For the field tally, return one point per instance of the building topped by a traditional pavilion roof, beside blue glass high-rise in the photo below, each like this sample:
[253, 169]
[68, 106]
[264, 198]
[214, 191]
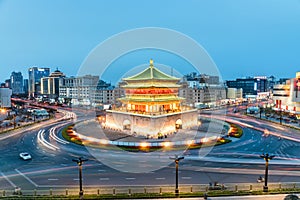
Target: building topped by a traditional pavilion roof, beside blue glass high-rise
[50, 85]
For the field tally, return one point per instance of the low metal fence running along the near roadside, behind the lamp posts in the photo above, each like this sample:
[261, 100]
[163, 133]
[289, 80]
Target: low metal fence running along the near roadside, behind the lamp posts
[129, 190]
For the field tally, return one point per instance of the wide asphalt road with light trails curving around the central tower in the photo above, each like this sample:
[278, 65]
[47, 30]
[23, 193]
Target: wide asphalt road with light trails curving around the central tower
[235, 162]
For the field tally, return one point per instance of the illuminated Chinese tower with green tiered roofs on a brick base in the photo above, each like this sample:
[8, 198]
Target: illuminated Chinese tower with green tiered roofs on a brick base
[151, 106]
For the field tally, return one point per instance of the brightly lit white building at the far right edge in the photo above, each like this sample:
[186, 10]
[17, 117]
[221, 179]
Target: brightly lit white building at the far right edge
[286, 95]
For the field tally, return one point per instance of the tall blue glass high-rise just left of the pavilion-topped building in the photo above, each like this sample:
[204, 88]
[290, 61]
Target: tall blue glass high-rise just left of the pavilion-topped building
[34, 81]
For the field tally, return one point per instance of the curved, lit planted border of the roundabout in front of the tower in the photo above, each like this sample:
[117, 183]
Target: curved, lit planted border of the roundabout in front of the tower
[134, 144]
